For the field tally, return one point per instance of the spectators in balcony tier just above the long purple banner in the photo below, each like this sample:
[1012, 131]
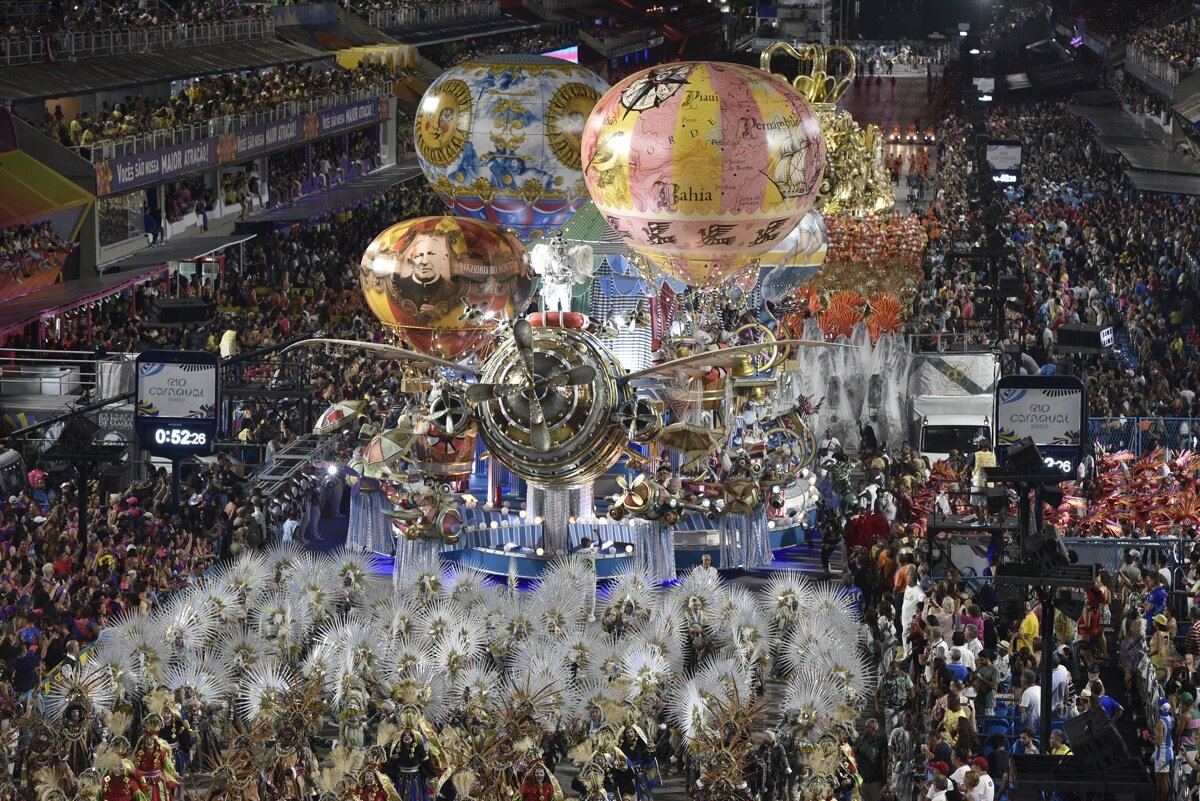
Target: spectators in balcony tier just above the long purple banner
[209, 99]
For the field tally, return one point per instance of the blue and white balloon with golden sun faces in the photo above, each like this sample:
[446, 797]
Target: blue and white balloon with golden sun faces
[499, 140]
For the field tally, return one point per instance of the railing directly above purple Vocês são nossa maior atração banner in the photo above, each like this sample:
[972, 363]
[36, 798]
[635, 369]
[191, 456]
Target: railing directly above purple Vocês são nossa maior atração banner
[107, 149]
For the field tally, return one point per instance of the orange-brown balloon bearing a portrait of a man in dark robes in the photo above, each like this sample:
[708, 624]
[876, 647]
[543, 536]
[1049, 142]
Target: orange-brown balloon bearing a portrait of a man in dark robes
[445, 284]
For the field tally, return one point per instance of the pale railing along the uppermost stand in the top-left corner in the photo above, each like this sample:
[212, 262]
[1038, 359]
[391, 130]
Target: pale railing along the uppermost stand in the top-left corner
[93, 45]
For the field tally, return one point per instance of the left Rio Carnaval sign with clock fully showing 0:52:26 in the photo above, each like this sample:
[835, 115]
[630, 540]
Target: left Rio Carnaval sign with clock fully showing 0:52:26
[178, 395]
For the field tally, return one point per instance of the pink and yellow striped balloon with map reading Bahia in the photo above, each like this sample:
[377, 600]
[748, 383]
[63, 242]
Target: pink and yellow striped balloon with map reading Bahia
[704, 167]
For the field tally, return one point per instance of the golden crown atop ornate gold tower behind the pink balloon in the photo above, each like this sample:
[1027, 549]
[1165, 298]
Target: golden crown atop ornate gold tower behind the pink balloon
[856, 182]
